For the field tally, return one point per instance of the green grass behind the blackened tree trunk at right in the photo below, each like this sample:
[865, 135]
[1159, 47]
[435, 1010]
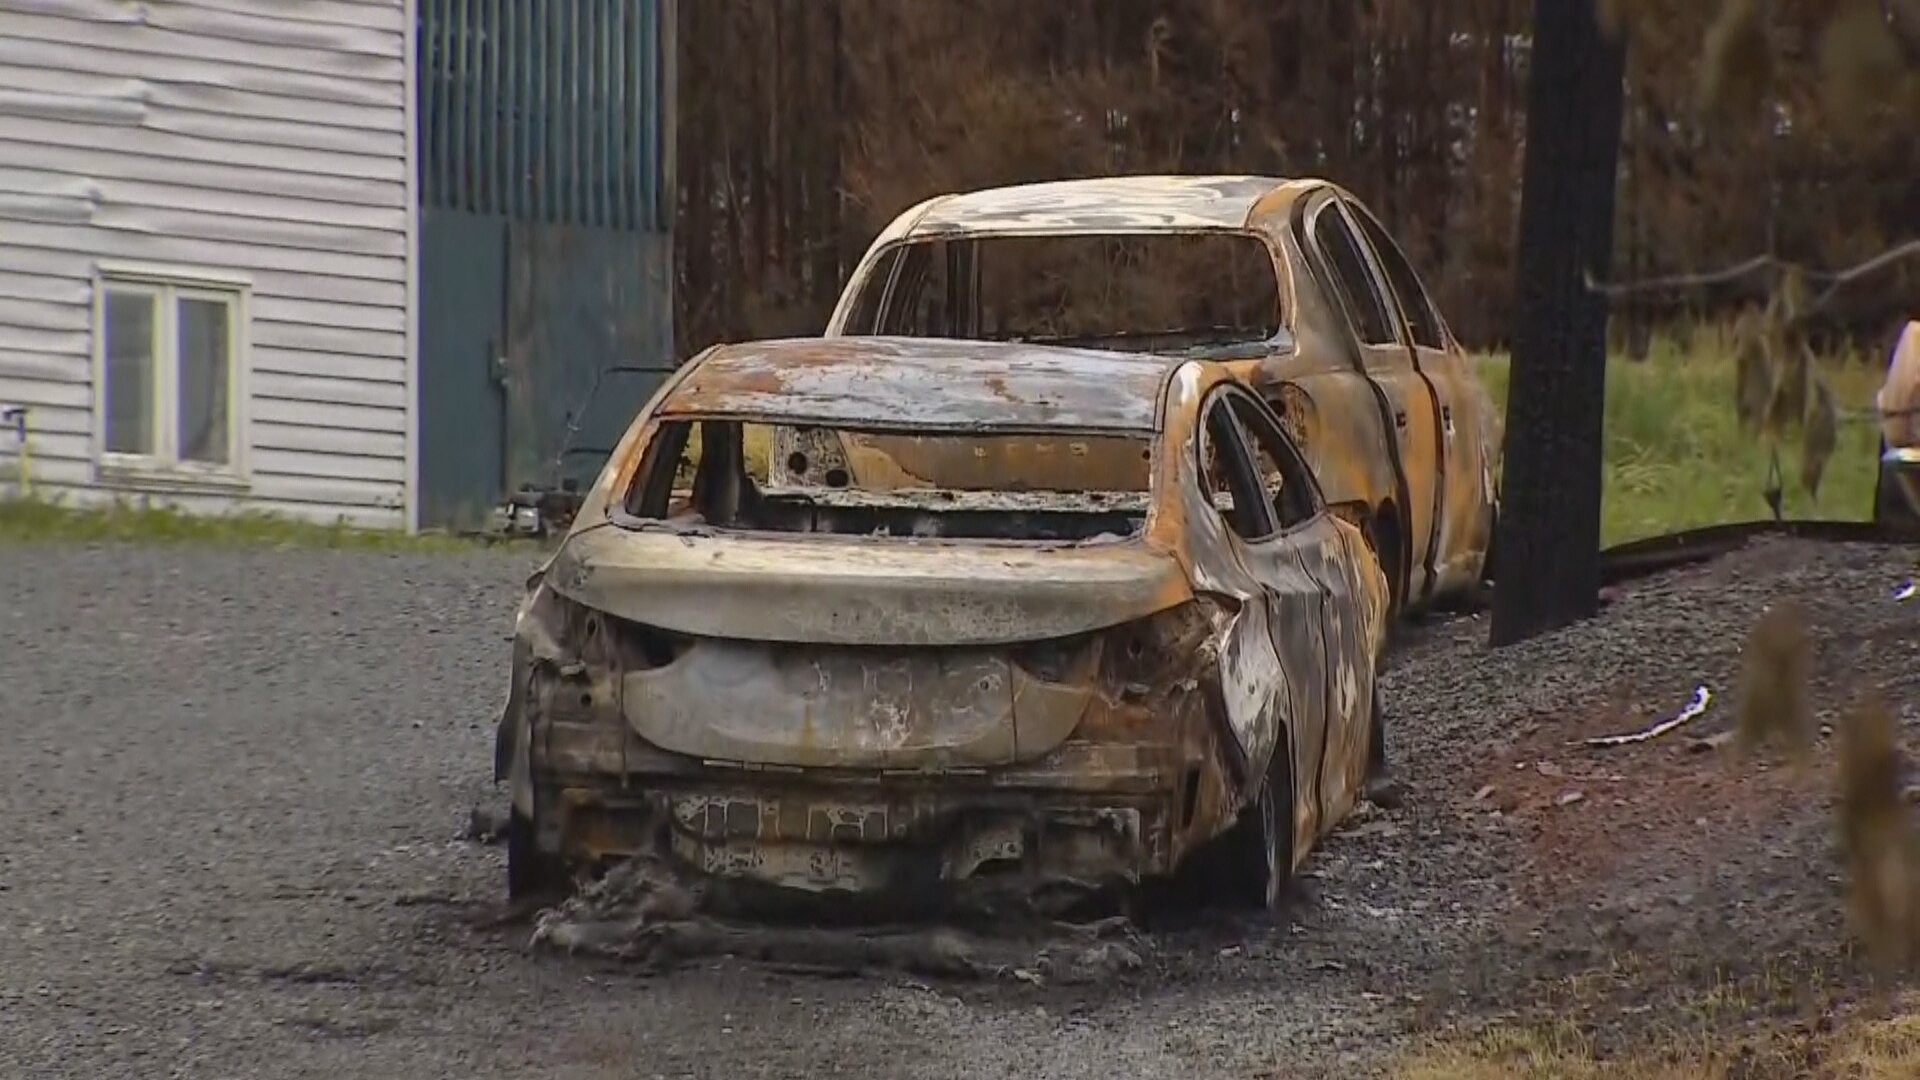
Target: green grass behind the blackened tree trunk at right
[1677, 458]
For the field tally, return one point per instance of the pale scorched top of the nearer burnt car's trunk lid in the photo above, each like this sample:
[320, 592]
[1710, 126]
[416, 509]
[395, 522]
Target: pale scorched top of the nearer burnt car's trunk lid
[863, 591]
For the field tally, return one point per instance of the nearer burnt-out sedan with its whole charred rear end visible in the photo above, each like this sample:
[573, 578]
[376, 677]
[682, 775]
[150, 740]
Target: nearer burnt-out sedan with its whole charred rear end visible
[1045, 679]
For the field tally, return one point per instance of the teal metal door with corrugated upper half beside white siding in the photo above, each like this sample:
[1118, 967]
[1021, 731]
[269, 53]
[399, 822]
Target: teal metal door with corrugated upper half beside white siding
[544, 151]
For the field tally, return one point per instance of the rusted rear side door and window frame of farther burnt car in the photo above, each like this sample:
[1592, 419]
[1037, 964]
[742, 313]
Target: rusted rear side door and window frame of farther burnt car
[1404, 405]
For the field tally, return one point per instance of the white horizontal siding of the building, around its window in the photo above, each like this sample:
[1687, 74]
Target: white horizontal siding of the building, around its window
[254, 139]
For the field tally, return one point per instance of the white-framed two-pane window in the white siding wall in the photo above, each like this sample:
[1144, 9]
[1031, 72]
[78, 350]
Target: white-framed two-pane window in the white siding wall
[170, 376]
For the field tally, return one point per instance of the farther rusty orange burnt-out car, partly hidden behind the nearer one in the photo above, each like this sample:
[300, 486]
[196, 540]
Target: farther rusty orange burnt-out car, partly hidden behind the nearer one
[1293, 285]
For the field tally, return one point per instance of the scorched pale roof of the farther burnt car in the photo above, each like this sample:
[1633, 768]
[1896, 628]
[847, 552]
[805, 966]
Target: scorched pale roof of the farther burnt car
[1105, 205]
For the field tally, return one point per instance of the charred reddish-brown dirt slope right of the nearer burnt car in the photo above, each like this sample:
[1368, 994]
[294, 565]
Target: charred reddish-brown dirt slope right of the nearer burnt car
[1658, 891]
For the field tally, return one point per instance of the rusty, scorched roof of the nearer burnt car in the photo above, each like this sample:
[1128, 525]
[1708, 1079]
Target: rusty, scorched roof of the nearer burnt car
[924, 385]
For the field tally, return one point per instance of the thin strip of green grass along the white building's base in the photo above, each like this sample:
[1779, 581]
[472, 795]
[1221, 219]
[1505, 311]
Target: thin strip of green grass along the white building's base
[45, 522]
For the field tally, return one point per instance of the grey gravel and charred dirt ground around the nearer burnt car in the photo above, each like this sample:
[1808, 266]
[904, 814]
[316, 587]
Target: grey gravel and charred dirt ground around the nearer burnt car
[235, 787]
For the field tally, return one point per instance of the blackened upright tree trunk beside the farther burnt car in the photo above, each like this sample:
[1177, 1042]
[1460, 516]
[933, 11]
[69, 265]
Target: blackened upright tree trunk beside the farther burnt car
[1548, 543]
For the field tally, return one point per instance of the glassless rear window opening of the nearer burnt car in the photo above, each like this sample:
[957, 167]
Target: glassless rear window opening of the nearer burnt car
[757, 478]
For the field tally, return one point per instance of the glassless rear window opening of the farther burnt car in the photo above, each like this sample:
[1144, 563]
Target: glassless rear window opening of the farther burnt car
[1166, 293]
